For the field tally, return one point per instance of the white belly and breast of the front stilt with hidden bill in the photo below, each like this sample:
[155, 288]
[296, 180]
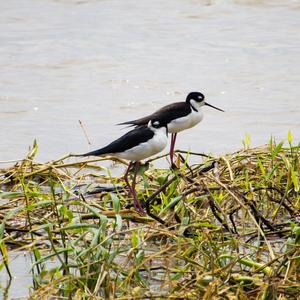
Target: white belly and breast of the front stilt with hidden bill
[147, 149]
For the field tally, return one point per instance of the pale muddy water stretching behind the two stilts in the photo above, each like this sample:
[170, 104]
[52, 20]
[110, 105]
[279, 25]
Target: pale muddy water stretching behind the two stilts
[103, 62]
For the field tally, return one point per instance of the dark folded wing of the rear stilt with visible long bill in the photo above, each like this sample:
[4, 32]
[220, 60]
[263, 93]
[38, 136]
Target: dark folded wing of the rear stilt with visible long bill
[167, 114]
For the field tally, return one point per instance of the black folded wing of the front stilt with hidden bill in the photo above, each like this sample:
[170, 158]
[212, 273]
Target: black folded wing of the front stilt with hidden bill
[129, 140]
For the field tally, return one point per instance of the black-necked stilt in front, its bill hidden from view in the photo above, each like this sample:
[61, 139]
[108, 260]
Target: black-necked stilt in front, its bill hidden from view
[136, 145]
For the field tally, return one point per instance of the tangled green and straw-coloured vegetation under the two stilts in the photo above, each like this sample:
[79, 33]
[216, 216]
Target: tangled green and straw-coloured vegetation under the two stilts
[222, 228]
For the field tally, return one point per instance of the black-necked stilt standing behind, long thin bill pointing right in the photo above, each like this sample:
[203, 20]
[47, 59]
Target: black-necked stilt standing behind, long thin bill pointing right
[178, 116]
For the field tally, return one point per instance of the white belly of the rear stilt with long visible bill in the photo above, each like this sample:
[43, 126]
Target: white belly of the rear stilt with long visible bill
[186, 122]
